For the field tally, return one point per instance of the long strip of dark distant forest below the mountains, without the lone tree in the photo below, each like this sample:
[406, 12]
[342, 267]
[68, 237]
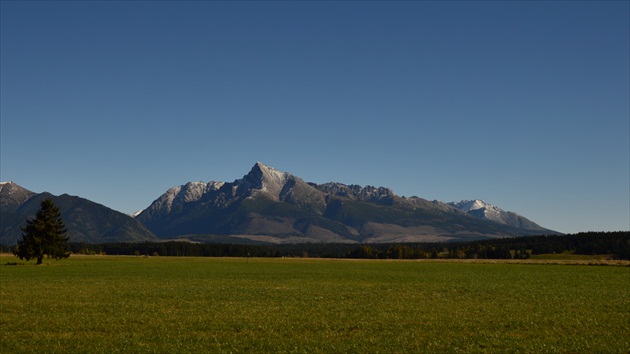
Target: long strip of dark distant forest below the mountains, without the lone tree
[588, 243]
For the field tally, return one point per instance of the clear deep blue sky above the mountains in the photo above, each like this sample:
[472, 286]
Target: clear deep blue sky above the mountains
[522, 104]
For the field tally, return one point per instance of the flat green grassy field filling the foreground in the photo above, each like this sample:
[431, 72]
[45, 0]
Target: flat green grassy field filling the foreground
[174, 305]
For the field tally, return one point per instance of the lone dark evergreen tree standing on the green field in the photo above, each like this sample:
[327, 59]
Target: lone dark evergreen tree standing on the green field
[44, 235]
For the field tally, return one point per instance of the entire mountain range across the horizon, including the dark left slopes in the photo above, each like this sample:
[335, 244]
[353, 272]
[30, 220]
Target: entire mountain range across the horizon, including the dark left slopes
[270, 206]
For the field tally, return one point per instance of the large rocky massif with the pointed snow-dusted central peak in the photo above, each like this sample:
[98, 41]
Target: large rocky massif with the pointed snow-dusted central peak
[267, 205]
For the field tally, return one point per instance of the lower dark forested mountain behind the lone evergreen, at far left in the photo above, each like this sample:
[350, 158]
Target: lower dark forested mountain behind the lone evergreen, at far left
[85, 220]
